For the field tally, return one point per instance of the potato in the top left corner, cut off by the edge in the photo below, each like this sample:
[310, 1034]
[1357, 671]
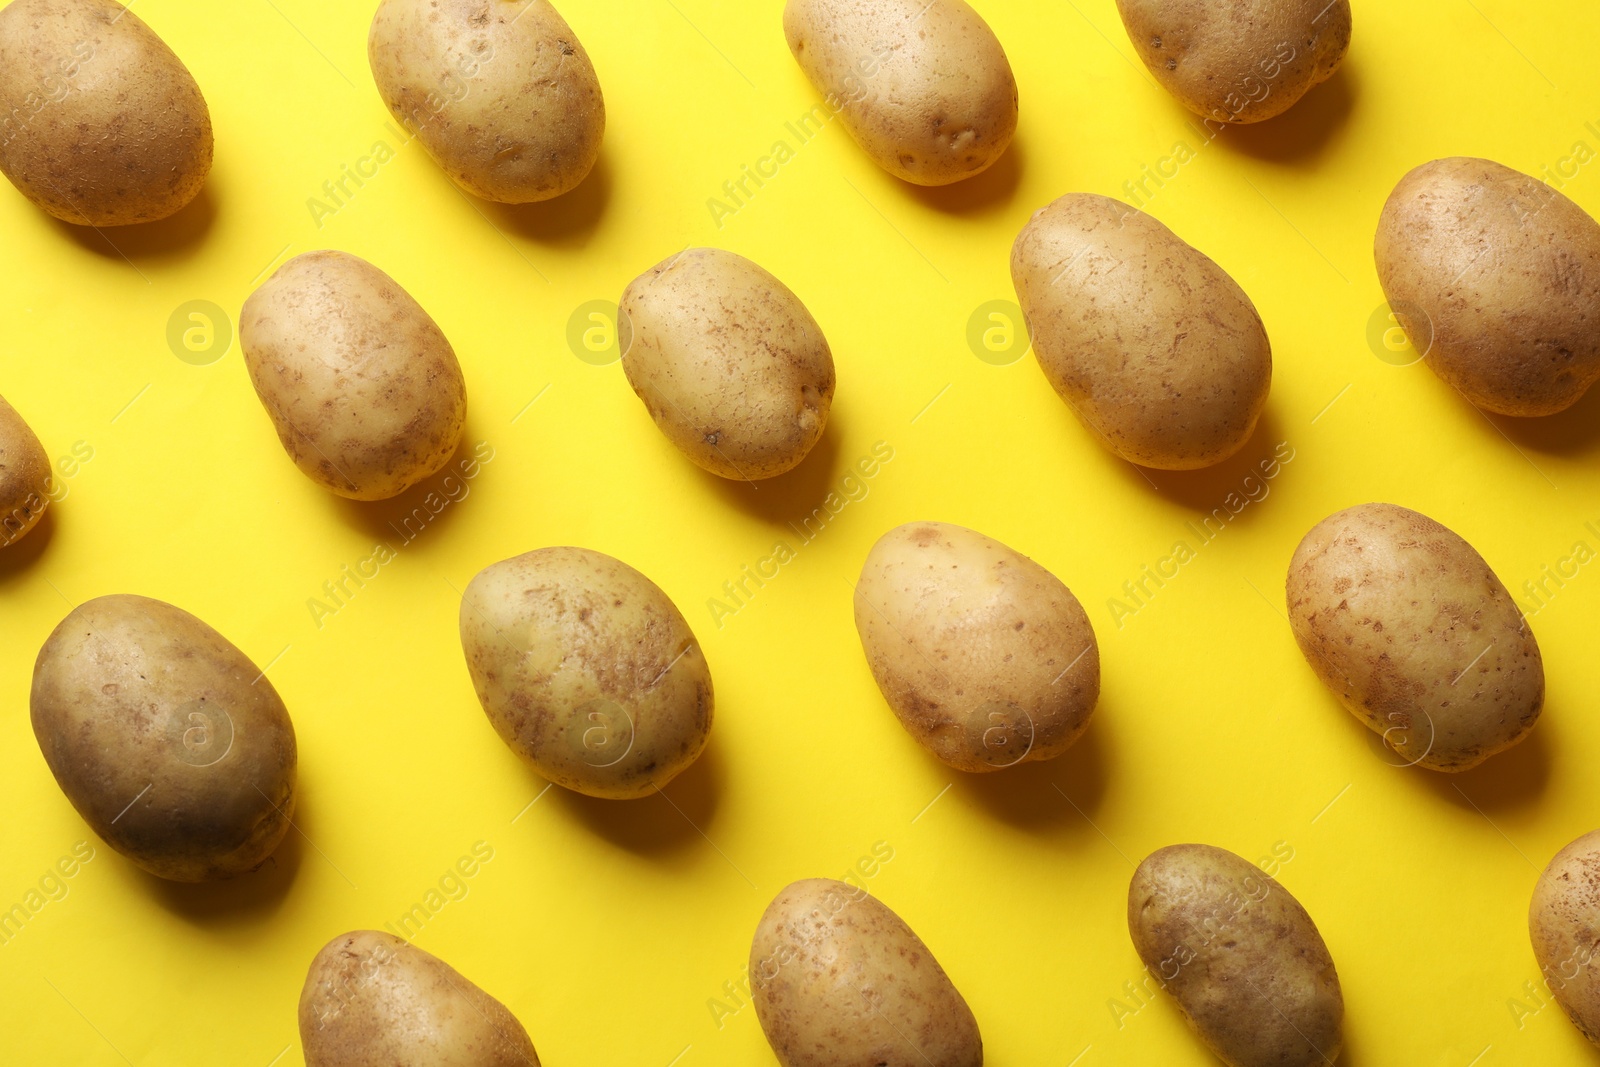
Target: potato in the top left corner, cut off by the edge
[100, 122]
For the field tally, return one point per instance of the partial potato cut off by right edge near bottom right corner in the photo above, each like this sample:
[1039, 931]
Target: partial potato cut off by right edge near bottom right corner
[1564, 924]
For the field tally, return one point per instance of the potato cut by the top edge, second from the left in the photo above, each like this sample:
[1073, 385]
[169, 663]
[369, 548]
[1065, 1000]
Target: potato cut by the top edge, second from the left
[502, 95]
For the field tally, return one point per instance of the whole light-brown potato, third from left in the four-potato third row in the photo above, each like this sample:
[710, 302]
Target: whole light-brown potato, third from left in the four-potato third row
[985, 657]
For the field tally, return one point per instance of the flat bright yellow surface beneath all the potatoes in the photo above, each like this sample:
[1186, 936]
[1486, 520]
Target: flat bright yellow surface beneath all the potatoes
[618, 932]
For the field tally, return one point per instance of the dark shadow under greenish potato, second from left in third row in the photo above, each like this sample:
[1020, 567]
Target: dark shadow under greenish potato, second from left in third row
[668, 820]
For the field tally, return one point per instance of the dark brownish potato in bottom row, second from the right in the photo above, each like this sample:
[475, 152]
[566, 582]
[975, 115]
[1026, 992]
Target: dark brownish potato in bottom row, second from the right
[1241, 957]
